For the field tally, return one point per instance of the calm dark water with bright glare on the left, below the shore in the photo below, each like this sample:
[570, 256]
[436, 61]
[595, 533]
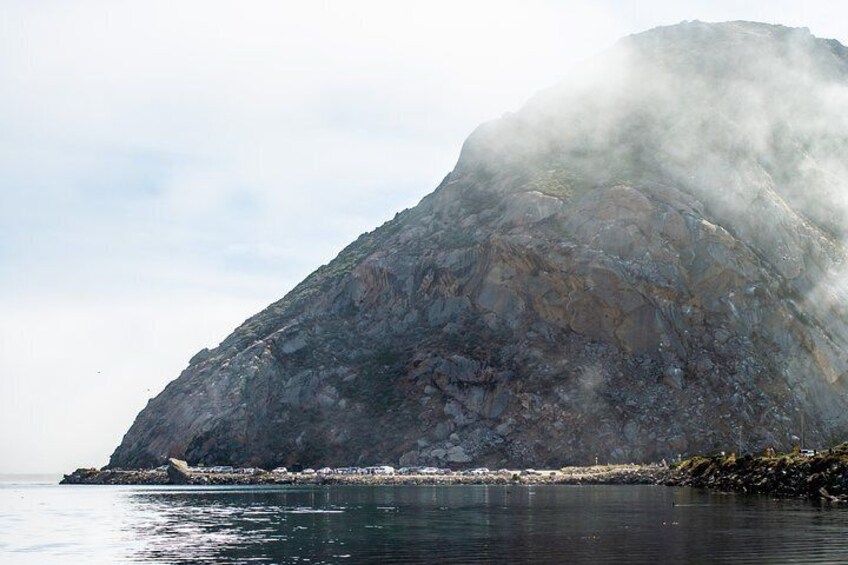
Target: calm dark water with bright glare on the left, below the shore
[47, 523]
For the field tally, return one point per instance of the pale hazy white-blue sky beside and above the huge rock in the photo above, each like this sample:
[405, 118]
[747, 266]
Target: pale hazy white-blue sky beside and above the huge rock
[169, 168]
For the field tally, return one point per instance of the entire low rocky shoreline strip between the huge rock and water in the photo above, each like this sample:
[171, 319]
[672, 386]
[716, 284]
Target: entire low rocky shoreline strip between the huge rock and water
[822, 476]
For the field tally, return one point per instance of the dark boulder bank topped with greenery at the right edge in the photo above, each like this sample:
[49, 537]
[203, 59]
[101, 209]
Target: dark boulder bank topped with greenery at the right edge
[821, 476]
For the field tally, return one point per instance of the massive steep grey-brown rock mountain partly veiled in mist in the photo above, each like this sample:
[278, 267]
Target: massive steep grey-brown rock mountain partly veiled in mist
[643, 261]
